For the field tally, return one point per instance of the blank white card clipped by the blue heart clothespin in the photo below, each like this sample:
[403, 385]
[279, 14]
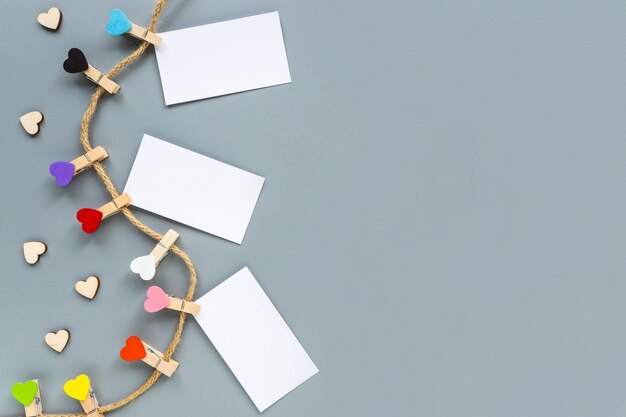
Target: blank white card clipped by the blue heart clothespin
[222, 58]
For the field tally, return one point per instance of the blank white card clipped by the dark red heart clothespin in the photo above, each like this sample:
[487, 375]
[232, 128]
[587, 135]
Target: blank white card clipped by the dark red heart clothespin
[193, 189]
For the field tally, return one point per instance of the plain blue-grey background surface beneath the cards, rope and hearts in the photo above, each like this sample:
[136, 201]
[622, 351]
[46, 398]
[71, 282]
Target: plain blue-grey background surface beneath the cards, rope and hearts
[442, 224]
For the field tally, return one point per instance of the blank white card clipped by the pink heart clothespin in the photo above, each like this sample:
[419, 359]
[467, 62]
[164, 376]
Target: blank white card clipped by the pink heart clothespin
[253, 339]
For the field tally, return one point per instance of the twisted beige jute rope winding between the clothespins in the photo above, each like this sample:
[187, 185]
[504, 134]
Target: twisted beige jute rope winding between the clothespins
[84, 139]
